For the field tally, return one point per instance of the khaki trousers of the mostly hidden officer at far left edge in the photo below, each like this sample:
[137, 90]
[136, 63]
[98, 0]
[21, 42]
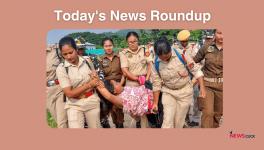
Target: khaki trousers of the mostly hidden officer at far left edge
[55, 106]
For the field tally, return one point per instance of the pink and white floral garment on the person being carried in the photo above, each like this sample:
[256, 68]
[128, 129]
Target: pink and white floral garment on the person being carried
[137, 101]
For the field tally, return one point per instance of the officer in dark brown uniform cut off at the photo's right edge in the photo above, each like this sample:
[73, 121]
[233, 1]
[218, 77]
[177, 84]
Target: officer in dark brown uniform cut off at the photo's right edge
[212, 105]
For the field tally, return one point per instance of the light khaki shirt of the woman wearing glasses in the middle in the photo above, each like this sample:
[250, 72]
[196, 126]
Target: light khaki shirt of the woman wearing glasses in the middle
[136, 62]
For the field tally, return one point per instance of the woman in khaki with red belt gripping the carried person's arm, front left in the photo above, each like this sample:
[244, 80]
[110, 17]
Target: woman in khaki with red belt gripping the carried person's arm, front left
[76, 78]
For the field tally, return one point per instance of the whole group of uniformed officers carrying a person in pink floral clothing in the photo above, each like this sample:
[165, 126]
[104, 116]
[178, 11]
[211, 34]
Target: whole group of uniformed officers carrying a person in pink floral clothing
[158, 85]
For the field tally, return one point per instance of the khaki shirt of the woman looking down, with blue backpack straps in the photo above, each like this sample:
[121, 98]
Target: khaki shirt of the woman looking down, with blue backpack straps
[169, 73]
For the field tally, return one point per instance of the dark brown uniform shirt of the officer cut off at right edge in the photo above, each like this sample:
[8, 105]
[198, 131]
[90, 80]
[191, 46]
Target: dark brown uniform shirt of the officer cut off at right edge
[213, 66]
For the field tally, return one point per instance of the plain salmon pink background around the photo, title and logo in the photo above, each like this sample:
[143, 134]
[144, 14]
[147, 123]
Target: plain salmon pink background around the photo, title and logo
[24, 27]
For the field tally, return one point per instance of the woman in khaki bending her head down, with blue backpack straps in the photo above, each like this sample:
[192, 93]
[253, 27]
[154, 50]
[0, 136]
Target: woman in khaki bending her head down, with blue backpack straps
[170, 75]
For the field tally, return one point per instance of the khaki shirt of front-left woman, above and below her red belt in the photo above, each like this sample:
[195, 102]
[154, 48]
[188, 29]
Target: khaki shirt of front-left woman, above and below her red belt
[77, 76]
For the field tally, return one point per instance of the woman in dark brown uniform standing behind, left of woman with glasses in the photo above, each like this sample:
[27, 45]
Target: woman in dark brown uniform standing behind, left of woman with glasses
[111, 66]
